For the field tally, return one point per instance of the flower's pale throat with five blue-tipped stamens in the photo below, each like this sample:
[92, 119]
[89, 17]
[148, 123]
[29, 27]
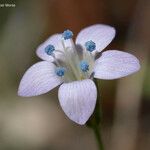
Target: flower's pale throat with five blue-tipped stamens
[78, 66]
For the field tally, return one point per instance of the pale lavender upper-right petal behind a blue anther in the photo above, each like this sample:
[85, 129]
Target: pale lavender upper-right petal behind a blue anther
[101, 34]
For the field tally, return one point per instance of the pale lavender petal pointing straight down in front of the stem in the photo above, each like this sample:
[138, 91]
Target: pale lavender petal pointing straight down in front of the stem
[78, 99]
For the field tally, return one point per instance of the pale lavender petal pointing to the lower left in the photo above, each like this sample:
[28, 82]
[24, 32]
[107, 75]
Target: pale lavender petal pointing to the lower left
[39, 79]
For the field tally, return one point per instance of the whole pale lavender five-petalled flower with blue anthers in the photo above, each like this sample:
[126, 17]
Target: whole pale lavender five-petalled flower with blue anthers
[73, 66]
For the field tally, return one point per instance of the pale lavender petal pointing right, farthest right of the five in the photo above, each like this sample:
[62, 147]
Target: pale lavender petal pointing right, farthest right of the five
[115, 64]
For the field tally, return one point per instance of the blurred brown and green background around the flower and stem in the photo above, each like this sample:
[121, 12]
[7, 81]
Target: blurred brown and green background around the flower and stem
[38, 123]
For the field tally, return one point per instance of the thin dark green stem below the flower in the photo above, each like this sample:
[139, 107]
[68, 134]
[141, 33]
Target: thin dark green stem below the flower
[95, 120]
